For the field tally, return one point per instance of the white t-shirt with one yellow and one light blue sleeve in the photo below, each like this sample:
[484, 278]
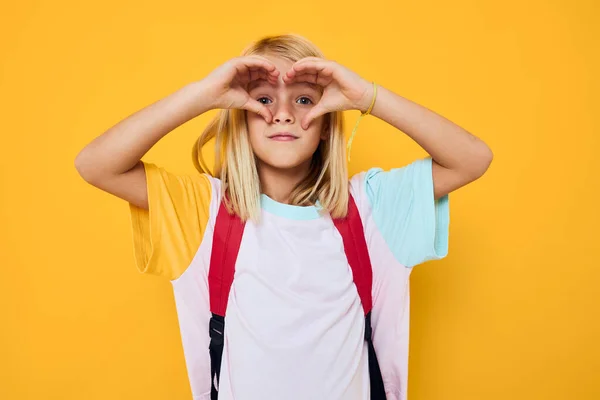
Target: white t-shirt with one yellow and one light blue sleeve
[294, 320]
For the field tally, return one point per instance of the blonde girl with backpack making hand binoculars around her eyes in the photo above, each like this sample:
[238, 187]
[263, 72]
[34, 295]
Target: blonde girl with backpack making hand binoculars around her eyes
[297, 311]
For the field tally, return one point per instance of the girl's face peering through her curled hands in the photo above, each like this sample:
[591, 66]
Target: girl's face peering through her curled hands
[283, 143]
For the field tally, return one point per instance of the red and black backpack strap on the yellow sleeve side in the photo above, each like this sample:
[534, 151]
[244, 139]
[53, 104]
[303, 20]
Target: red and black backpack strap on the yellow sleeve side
[227, 237]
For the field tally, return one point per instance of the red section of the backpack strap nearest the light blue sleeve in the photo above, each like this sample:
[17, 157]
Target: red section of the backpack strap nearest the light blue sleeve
[355, 246]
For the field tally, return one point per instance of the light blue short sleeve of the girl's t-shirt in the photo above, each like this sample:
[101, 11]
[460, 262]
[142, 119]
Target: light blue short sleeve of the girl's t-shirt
[414, 226]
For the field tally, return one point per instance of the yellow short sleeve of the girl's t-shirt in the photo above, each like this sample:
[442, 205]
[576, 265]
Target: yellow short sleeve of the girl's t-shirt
[167, 236]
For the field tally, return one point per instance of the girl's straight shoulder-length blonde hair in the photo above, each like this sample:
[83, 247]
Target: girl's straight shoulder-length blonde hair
[235, 163]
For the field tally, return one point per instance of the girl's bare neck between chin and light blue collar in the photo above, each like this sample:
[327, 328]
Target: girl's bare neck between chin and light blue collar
[279, 183]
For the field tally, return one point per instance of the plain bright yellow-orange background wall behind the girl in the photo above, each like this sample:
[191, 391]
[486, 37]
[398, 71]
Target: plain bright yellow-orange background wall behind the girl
[511, 313]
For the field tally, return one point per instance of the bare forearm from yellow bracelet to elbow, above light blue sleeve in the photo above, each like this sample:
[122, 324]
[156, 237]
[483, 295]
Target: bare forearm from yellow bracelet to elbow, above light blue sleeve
[448, 144]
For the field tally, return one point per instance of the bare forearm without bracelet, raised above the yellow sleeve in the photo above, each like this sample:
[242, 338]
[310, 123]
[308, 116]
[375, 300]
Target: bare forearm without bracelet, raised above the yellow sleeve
[122, 146]
